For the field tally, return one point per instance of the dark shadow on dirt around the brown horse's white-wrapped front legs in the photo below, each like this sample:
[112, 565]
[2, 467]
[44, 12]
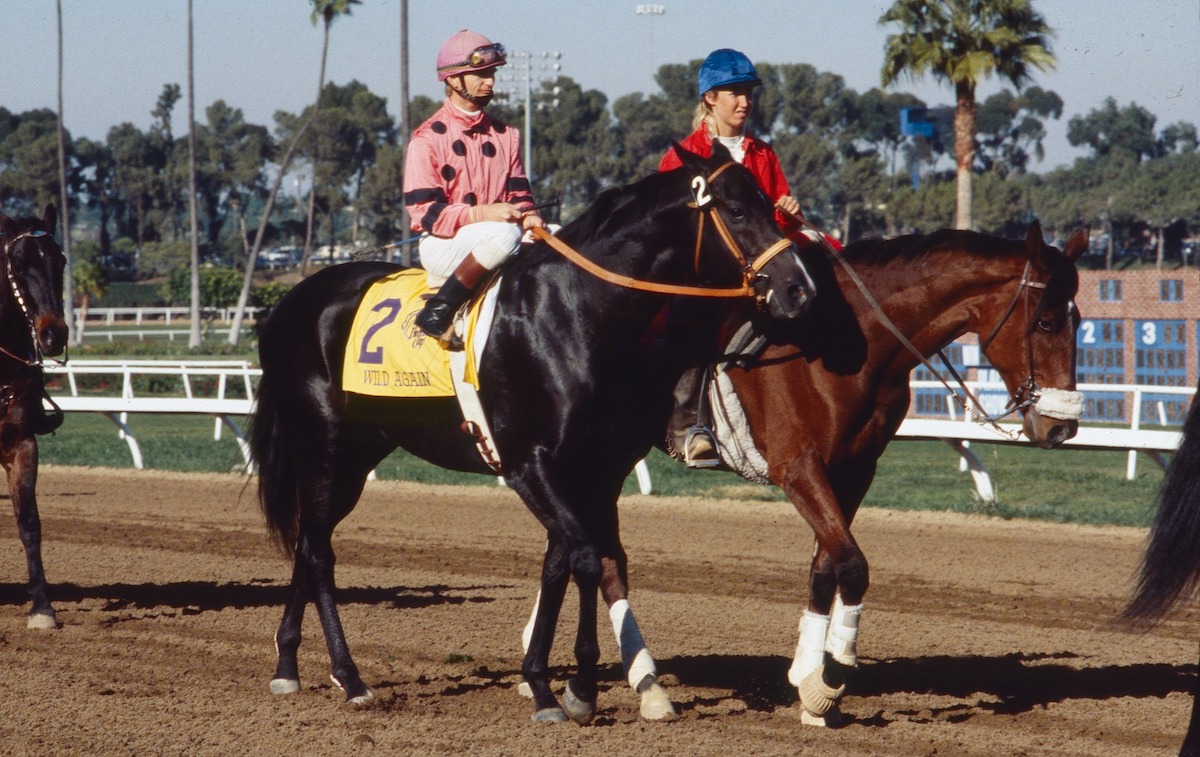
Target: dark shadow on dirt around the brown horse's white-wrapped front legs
[1001, 686]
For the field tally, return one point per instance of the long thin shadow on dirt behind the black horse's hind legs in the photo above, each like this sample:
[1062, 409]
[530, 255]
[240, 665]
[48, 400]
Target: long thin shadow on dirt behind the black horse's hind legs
[202, 597]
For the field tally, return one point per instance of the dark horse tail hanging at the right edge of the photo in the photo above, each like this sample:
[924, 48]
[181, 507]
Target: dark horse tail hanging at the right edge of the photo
[1172, 564]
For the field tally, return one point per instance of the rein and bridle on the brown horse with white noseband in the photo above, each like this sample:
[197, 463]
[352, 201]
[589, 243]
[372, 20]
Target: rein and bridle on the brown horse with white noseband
[970, 402]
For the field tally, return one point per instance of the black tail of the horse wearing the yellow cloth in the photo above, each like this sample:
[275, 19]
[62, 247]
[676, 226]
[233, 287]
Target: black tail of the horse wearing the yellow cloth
[278, 494]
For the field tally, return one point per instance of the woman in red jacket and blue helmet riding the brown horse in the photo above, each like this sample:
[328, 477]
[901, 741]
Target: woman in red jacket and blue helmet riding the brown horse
[727, 83]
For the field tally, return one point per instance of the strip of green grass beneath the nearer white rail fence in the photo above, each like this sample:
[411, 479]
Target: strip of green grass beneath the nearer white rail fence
[1063, 486]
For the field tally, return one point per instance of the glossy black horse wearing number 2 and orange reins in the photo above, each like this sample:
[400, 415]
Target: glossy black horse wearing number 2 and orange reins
[578, 378]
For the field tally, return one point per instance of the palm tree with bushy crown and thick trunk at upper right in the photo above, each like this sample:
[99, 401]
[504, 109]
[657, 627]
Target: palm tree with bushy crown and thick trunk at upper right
[964, 43]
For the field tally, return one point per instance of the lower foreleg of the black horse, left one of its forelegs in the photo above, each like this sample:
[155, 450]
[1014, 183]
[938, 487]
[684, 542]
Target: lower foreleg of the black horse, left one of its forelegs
[539, 640]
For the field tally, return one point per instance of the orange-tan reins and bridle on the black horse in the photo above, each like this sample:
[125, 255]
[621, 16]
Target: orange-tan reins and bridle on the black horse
[707, 206]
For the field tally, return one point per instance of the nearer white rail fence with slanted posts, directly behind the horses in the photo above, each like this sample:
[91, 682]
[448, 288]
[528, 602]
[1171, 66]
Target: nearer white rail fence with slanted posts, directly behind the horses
[231, 411]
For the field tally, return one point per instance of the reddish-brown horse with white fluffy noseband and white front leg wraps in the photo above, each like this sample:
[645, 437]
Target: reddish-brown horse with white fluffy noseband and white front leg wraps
[823, 404]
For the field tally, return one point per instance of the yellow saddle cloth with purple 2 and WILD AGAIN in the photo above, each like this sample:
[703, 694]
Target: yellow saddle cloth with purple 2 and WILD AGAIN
[387, 356]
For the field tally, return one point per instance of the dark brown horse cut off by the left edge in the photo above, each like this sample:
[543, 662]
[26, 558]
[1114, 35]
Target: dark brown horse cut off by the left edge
[32, 327]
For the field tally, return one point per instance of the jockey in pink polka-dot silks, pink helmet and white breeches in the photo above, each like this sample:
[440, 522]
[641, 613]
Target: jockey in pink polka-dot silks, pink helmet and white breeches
[465, 184]
